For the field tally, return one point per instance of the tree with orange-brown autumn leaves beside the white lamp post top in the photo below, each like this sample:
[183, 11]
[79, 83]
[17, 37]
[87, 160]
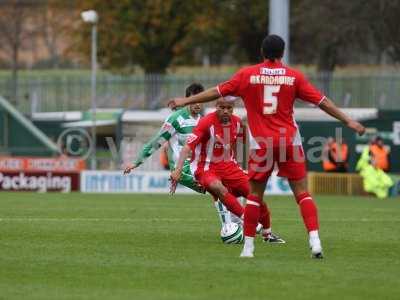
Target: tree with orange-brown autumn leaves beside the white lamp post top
[136, 32]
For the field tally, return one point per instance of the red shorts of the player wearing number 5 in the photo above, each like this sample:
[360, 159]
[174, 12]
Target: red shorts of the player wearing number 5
[290, 161]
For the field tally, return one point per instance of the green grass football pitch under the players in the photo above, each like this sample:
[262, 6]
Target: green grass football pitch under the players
[104, 246]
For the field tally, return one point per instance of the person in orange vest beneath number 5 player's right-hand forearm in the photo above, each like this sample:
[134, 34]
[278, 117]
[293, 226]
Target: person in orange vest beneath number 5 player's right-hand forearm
[335, 156]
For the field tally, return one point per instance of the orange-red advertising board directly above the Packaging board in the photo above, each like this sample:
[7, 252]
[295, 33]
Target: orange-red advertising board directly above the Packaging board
[33, 164]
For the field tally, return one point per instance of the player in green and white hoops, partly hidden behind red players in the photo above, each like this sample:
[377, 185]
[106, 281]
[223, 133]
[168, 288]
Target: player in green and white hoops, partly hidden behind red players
[176, 128]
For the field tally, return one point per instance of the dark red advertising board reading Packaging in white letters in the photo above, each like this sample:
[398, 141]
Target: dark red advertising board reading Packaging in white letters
[39, 181]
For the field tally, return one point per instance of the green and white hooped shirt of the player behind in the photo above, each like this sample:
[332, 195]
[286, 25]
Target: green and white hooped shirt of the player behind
[175, 129]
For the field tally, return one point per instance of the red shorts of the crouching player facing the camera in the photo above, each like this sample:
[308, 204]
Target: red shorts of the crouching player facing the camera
[230, 174]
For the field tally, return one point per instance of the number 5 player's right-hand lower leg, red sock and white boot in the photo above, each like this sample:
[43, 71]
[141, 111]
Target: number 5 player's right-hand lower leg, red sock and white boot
[309, 212]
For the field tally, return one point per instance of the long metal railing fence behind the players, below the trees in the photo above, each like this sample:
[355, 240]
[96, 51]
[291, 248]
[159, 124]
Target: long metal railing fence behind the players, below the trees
[72, 92]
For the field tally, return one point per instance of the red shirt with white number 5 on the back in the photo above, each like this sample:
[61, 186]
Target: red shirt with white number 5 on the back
[268, 91]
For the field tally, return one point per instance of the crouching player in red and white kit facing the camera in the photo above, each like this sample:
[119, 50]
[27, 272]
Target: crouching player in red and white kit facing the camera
[213, 145]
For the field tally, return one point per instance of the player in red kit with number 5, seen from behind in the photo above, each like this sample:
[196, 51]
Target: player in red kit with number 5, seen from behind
[269, 90]
